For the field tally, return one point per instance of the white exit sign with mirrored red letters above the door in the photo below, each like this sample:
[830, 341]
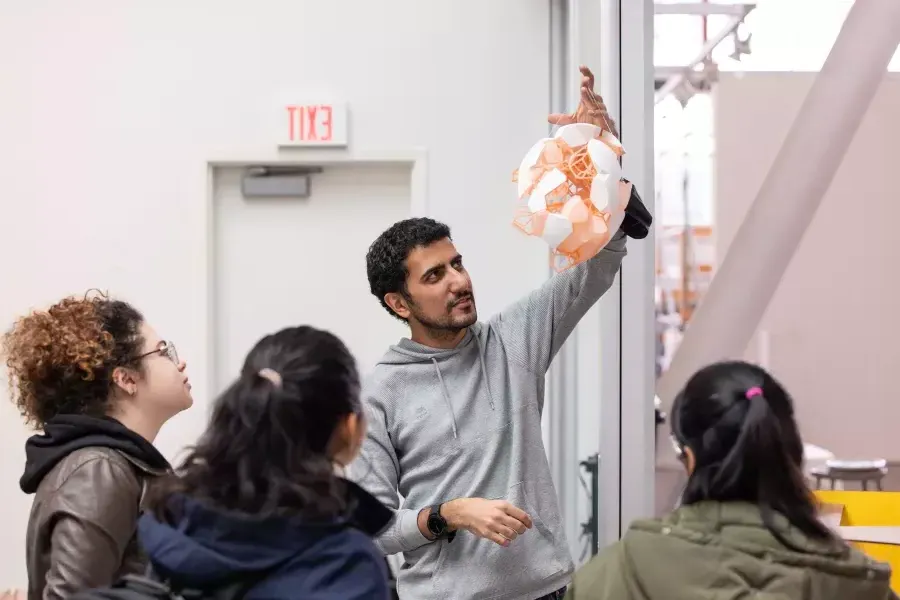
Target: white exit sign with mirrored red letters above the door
[309, 124]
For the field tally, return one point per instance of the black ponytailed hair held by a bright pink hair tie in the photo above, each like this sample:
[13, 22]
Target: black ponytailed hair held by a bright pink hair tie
[739, 423]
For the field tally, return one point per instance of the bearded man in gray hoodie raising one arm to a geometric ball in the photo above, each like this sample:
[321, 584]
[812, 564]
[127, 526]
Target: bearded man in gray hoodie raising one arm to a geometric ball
[454, 421]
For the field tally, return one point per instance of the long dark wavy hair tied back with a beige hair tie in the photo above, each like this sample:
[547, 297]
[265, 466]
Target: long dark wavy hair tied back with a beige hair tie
[265, 450]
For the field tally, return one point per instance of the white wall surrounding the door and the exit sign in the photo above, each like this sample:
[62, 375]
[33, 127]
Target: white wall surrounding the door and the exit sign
[110, 111]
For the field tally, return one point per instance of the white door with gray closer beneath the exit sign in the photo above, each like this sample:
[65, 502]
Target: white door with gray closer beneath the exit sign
[284, 262]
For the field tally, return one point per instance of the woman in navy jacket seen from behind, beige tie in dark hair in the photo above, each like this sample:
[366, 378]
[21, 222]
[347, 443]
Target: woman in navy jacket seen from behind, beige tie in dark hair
[259, 502]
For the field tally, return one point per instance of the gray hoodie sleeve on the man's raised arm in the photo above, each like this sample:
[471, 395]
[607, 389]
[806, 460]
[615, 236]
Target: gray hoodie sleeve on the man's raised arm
[535, 327]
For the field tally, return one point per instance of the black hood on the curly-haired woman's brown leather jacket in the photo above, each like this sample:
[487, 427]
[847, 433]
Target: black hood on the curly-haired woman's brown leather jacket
[63, 434]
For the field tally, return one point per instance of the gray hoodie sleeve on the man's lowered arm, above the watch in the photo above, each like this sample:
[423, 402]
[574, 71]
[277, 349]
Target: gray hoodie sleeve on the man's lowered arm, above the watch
[377, 470]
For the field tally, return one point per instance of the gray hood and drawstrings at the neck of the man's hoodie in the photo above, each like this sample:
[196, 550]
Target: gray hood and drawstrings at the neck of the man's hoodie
[408, 352]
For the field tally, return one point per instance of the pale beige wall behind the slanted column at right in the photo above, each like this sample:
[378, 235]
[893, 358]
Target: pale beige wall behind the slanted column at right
[832, 325]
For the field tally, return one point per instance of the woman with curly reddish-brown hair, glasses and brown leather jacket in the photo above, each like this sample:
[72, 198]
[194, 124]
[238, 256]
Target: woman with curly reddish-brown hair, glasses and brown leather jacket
[100, 383]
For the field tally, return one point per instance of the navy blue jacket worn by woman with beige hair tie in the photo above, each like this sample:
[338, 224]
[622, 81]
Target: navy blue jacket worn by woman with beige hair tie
[311, 561]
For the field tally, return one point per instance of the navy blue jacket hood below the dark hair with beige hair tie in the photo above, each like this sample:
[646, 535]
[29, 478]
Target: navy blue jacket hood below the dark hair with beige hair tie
[209, 545]
